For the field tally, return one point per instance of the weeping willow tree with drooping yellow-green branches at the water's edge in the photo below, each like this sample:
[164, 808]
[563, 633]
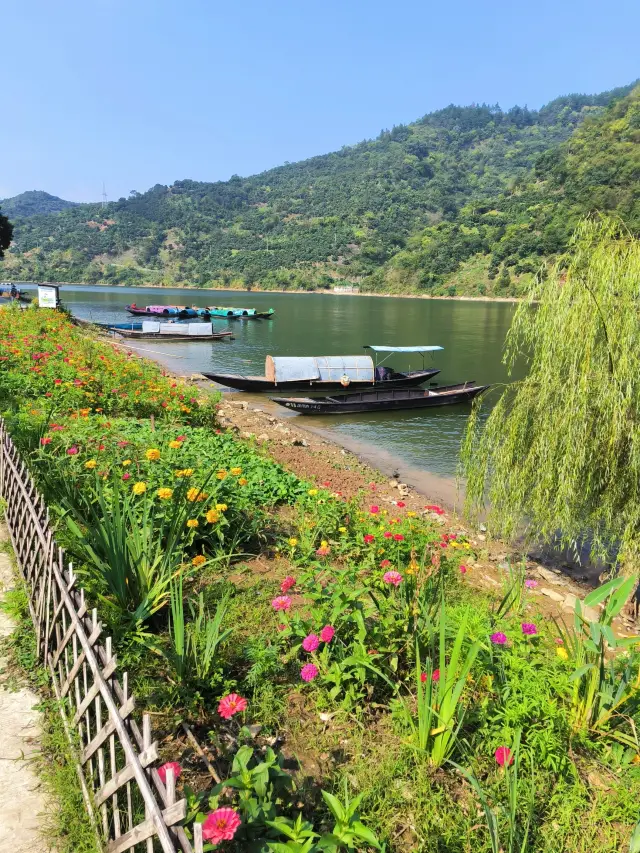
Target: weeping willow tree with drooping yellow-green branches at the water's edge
[558, 457]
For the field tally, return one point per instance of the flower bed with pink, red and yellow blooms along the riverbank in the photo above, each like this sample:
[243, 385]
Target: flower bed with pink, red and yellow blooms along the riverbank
[345, 635]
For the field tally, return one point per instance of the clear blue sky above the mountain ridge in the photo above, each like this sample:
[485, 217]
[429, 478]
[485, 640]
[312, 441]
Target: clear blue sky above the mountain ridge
[139, 92]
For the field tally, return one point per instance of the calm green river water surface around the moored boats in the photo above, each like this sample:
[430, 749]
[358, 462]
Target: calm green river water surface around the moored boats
[472, 334]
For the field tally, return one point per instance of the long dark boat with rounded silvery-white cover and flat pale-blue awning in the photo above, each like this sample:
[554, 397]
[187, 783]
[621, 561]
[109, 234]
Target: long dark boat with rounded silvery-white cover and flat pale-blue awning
[325, 373]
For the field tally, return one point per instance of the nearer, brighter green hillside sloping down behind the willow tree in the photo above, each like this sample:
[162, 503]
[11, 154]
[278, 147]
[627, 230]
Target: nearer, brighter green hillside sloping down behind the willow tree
[505, 239]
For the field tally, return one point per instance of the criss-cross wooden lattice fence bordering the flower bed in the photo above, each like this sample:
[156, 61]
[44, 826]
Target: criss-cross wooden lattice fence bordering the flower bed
[129, 805]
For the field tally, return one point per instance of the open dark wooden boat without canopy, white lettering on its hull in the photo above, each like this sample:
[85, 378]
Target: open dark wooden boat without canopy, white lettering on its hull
[383, 400]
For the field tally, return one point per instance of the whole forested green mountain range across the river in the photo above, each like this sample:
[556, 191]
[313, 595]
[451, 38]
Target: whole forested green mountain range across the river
[401, 212]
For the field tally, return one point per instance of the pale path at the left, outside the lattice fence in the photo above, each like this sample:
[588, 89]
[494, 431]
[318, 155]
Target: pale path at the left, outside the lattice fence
[22, 798]
